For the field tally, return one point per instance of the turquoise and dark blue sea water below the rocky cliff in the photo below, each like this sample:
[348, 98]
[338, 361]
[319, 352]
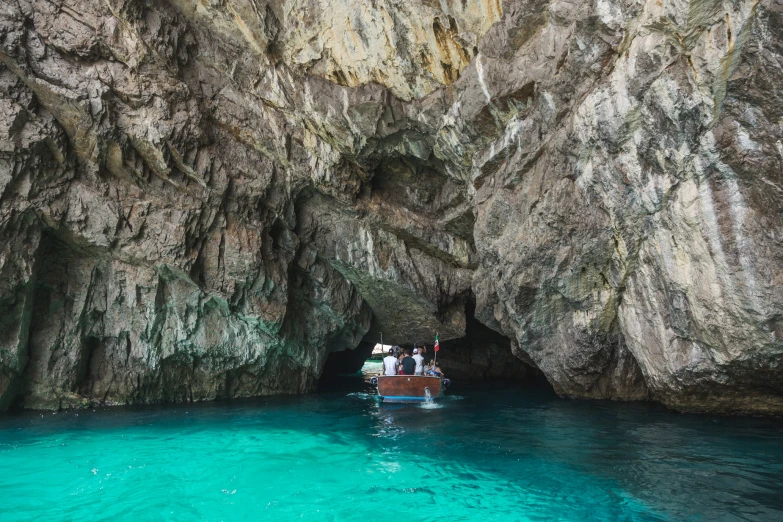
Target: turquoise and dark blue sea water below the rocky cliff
[482, 454]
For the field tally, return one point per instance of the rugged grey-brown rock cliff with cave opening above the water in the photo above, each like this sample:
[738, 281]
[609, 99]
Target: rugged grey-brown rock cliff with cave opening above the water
[205, 199]
